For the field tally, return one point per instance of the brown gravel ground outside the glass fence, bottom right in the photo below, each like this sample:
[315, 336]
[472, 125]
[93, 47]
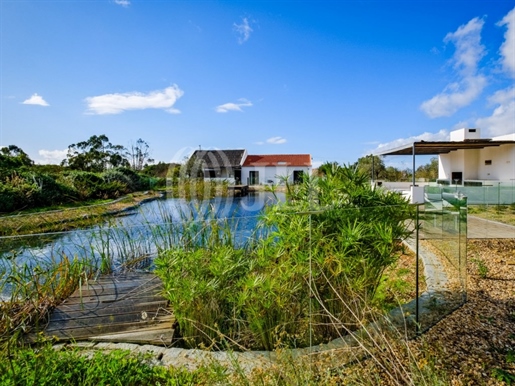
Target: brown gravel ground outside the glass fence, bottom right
[475, 345]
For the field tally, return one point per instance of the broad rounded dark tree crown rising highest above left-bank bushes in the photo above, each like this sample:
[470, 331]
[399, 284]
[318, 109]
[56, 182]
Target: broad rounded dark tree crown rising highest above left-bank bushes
[96, 154]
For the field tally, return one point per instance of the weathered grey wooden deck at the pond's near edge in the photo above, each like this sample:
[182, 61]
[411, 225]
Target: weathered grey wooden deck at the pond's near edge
[127, 308]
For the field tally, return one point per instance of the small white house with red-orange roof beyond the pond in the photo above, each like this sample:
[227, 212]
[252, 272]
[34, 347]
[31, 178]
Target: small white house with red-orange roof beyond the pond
[272, 169]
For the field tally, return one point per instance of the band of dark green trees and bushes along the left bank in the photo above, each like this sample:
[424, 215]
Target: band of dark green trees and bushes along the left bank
[93, 169]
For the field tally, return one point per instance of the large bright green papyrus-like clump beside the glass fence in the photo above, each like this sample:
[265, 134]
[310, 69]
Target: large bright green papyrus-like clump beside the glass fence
[332, 239]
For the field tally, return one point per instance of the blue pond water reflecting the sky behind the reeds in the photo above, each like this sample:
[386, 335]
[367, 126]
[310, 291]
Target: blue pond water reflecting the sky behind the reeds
[140, 232]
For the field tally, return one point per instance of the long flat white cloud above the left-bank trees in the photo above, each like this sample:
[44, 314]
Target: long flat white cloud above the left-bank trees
[118, 103]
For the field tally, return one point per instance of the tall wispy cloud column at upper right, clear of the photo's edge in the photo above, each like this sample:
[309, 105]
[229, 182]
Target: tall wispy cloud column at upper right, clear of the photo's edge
[470, 84]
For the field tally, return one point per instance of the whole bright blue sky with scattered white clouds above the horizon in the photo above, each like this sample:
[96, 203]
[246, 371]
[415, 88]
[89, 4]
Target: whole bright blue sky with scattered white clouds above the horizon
[336, 79]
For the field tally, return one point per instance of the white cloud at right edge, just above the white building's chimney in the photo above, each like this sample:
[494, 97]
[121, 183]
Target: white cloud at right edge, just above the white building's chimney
[502, 120]
